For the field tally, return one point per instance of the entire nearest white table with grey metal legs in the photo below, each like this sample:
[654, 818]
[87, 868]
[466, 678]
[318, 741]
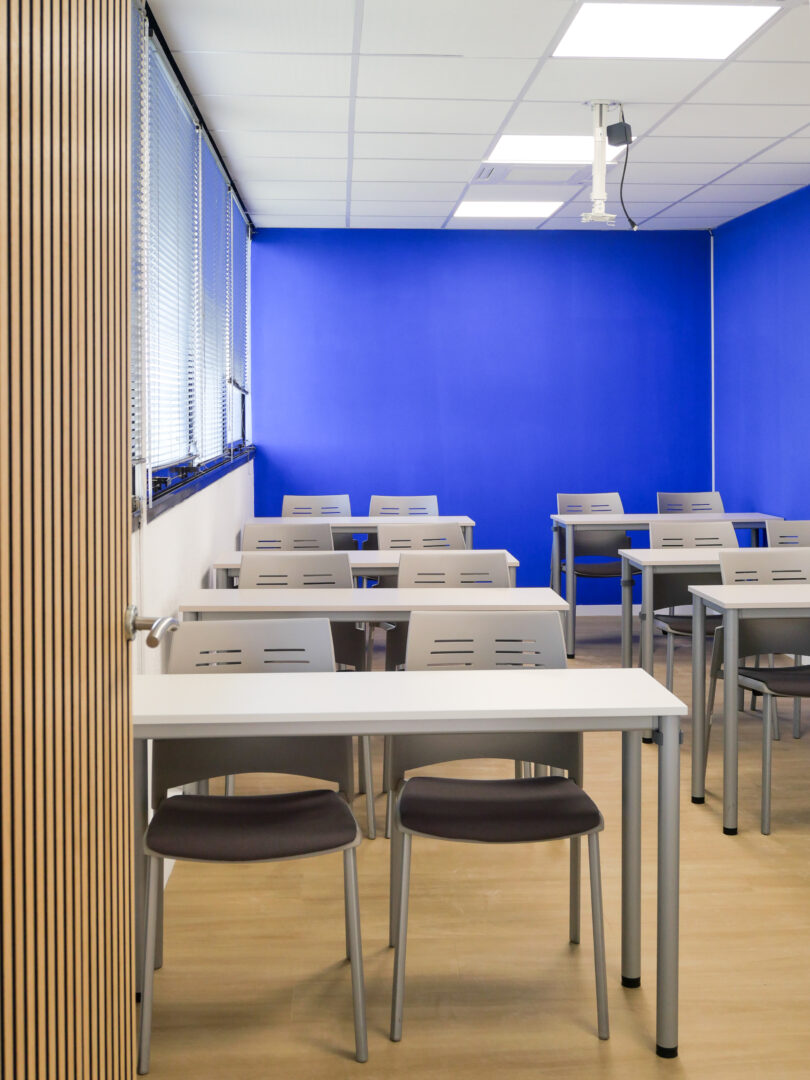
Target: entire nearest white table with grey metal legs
[375, 704]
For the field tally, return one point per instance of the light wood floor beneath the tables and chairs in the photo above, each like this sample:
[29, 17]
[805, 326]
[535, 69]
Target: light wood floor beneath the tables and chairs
[254, 983]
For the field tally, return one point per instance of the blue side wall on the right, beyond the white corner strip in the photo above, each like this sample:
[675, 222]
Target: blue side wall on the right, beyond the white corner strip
[763, 358]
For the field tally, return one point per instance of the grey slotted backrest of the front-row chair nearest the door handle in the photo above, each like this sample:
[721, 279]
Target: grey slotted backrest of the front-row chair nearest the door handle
[250, 646]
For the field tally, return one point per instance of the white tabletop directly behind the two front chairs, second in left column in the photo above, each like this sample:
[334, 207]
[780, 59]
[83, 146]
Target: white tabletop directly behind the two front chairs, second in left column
[352, 602]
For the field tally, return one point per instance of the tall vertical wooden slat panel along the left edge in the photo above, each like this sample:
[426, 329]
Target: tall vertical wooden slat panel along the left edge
[66, 938]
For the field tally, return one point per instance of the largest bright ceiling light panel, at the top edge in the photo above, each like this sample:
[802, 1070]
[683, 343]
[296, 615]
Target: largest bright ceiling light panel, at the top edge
[663, 31]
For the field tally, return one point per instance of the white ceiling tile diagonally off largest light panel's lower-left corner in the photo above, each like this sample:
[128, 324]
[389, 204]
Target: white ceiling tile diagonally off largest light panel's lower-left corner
[442, 77]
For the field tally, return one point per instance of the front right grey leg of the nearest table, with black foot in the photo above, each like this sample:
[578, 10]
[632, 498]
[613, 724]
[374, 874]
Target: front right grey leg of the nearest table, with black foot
[669, 862]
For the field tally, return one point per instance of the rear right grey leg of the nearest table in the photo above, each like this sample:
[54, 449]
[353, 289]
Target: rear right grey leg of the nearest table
[631, 859]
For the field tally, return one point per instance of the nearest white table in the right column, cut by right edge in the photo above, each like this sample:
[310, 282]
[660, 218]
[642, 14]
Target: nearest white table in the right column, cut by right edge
[734, 603]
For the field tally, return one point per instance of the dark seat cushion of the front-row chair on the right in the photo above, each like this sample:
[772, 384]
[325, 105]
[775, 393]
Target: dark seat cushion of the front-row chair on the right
[497, 812]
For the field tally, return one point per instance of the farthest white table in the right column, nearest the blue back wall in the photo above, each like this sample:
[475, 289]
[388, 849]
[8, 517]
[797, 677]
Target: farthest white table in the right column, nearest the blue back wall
[573, 523]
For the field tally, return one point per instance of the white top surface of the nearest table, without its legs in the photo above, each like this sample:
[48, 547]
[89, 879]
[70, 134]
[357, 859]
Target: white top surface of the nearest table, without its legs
[399, 703]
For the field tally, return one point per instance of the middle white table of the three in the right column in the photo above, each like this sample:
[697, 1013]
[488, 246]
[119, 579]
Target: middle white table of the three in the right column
[695, 562]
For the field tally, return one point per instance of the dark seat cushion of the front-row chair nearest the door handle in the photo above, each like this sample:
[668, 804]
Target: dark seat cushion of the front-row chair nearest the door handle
[249, 829]
